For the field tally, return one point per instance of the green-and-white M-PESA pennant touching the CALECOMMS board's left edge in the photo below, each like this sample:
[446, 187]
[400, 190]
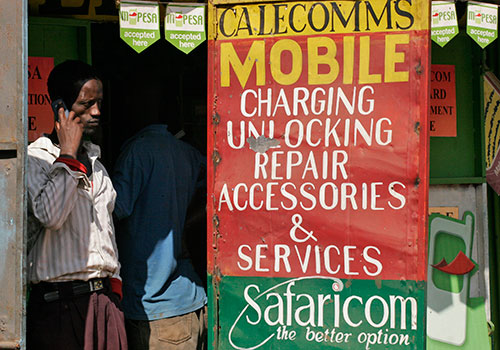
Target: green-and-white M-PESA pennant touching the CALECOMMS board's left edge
[185, 26]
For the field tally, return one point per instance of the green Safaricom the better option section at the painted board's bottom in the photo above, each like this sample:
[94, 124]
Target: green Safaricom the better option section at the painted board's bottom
[320, 313]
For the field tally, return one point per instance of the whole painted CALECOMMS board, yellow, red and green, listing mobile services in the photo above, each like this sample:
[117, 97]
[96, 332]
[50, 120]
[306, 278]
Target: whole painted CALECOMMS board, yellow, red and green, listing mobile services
[318, 174]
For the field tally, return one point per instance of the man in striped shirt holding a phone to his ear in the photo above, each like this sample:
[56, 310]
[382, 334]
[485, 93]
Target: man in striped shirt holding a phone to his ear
[73, 266]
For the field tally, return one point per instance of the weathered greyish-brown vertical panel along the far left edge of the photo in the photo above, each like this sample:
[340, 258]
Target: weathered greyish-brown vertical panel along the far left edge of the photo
[13, 113]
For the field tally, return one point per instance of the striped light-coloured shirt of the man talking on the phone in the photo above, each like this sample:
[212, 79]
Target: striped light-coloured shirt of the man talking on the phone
[70, 217]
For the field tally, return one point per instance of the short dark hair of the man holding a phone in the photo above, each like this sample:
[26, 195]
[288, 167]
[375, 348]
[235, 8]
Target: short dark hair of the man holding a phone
[66, 80]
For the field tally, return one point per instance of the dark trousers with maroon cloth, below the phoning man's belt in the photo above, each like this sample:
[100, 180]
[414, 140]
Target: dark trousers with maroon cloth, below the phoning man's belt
[89, 321]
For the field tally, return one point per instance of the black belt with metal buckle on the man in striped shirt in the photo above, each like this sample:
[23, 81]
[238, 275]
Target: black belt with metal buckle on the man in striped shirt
[52, 291]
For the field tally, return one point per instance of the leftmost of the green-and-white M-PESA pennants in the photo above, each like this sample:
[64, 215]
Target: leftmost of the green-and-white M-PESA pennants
[139, 25]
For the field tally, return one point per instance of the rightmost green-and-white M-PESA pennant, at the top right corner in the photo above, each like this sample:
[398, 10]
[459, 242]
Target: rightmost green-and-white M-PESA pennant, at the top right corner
[482, 21]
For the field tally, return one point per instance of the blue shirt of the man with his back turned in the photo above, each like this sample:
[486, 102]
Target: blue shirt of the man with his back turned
[155, 178]
